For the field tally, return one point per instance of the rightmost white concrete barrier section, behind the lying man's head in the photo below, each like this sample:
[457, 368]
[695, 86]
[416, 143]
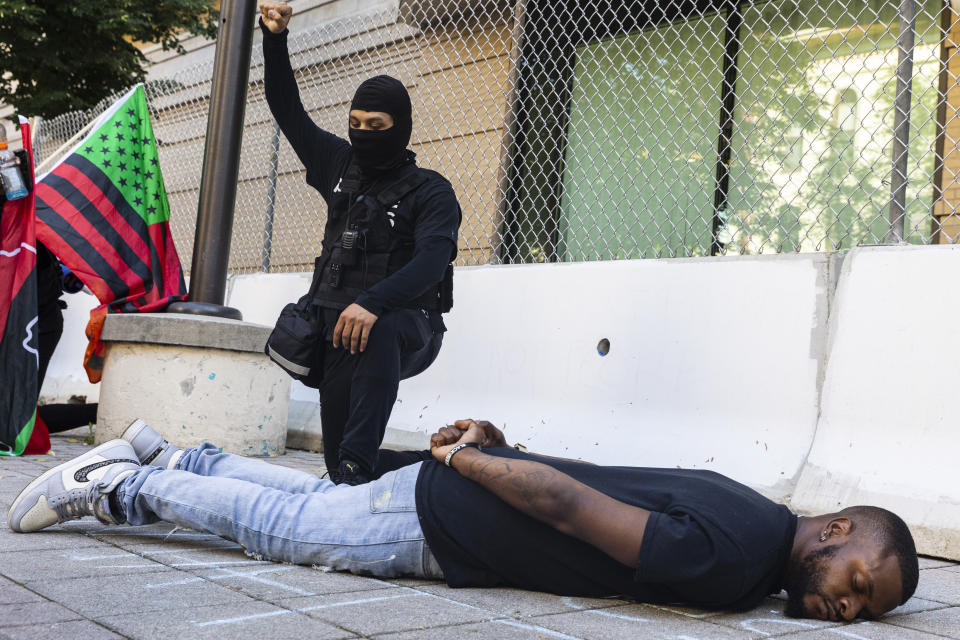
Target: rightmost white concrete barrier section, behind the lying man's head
[889, 432]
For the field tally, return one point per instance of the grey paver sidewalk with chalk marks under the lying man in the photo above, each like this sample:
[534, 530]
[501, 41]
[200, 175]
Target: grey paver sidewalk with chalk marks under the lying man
[86, 581]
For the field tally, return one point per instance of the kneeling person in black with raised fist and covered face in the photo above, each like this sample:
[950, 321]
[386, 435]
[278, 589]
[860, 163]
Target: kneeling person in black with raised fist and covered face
[384, 276]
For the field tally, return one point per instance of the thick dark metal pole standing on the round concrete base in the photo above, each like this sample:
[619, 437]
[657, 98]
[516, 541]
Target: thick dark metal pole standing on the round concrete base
[221, 155]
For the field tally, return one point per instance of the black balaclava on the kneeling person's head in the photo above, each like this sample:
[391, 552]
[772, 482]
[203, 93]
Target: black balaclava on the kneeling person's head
[379, 151]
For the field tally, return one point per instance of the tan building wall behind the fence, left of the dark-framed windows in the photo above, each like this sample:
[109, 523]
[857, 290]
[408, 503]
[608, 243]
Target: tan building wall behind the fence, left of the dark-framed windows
[457, 74]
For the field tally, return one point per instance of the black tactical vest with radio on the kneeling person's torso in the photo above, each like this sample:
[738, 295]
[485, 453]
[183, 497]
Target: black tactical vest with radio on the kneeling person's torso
[360, 248]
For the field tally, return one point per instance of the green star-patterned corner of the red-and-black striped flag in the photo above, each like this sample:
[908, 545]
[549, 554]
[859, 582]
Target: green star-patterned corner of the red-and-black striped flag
[128, 155]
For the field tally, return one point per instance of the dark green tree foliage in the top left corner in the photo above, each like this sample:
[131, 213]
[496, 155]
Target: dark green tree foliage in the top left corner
[58, 56]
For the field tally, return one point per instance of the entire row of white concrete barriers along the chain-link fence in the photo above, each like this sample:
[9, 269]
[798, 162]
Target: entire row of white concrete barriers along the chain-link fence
[713, 363]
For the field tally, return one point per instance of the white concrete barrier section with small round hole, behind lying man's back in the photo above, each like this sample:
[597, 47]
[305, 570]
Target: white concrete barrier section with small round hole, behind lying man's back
[712, 363]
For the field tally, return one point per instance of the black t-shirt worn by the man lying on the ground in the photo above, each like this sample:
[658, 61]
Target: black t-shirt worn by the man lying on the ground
[710, 541]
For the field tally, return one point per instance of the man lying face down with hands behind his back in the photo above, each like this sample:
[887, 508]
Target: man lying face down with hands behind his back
[478, 513]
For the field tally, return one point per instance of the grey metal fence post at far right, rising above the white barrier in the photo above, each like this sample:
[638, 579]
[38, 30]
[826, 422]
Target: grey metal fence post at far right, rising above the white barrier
[901, 121]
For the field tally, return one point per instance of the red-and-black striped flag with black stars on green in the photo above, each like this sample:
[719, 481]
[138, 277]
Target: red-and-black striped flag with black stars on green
[103, 211]
